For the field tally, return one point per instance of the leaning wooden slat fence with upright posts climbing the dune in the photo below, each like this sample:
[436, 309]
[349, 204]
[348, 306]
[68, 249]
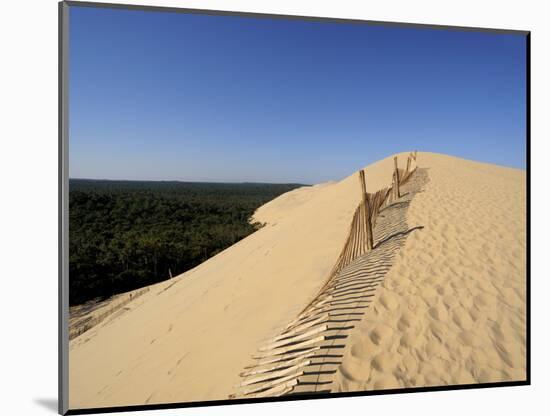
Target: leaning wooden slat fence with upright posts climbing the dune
[282, 363]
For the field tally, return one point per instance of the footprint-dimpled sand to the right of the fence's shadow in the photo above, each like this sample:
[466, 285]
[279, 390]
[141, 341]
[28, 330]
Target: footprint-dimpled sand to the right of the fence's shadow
[452, 308]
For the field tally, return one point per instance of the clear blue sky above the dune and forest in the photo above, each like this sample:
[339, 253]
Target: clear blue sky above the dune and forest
[171, 96]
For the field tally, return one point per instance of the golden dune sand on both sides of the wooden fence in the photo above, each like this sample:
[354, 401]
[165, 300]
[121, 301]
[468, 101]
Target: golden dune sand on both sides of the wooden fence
[450, 309]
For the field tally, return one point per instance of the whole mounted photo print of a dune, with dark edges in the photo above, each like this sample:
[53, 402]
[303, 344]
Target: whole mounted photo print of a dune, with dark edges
[265, 208]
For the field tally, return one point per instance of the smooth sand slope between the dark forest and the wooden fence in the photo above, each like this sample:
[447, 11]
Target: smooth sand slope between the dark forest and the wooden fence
[188, 339]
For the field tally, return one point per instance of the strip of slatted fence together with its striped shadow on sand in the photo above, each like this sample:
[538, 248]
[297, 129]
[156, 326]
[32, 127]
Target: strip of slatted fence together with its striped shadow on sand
[310, 347]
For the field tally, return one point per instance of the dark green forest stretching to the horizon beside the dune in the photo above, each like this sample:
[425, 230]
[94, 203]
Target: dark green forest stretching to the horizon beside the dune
[128, 234]
